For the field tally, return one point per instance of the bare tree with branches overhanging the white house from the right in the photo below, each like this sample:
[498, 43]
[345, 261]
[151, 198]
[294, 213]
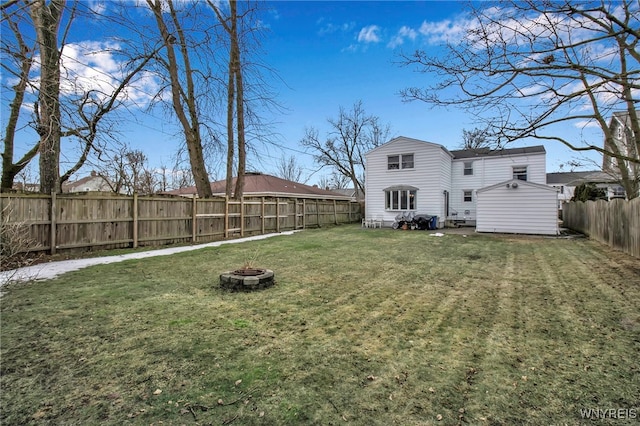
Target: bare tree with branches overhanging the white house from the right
[528, 67]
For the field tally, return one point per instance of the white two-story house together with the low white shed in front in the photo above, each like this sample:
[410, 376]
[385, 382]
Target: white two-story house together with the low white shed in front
[410, 175]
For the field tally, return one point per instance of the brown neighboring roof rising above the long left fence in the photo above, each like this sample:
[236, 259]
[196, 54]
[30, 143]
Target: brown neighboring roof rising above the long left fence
[258, 184]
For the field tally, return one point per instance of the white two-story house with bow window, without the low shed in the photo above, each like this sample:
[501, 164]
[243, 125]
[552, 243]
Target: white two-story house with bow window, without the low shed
[410, 175]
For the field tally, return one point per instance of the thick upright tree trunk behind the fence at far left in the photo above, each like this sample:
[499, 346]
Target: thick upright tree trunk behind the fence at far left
[47, 21]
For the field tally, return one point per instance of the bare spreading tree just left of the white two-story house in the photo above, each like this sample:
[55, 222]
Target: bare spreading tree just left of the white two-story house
[352, 134]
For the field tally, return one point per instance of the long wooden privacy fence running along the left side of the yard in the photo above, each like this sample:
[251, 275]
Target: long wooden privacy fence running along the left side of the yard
[65, 221]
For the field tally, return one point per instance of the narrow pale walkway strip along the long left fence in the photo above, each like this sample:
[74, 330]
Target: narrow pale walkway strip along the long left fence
[47, 271]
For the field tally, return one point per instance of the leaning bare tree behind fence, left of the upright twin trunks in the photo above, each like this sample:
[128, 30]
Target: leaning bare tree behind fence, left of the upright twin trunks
[178, 65]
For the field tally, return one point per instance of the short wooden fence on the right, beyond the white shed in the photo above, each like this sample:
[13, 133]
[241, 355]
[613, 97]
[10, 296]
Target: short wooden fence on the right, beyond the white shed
[615, 222]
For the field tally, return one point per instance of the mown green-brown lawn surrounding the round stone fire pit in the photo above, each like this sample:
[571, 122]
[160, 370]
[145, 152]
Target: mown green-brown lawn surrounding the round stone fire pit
[363, 327]
